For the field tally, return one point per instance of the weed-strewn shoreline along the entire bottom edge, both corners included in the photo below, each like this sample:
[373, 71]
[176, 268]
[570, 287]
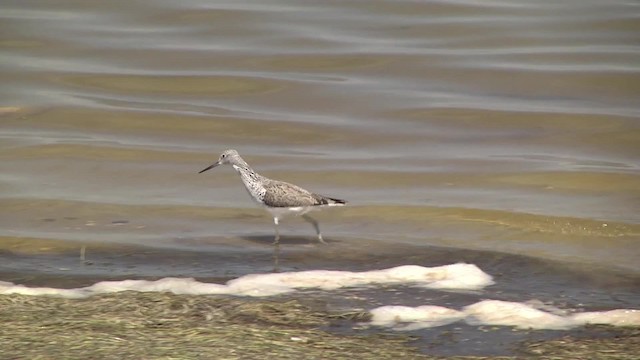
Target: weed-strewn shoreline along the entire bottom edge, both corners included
[164, 326]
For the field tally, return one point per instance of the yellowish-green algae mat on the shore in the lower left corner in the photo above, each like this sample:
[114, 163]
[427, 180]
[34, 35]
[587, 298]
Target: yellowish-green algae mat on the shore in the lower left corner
[138, 325]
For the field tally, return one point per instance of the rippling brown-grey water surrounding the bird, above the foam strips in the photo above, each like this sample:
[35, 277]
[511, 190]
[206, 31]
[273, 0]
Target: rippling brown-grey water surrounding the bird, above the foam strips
[510, 127]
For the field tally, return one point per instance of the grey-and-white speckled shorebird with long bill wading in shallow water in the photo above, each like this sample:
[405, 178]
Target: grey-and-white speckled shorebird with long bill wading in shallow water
[278, 197]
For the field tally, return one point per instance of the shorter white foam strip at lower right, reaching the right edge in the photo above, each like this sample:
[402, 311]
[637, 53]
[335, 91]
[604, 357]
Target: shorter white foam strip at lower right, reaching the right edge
[498, 313]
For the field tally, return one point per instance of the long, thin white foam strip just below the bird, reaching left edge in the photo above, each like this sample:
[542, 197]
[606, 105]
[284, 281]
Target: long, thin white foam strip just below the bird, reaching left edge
[455, 276]
